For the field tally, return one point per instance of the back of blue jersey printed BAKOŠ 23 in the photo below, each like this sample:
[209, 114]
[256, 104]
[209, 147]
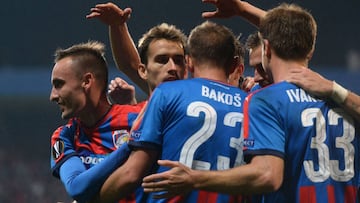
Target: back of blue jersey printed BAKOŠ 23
[198, 124]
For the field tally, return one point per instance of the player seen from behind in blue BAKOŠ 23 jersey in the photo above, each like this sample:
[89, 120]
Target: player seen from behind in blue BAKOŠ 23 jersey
[195, 121]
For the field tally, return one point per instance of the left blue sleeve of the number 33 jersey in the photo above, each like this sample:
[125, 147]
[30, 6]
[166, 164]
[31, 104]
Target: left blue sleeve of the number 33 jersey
[263, 132]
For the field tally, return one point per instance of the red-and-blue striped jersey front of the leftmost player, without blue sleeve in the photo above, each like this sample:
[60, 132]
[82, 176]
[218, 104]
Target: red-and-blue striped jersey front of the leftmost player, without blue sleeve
[93, 144]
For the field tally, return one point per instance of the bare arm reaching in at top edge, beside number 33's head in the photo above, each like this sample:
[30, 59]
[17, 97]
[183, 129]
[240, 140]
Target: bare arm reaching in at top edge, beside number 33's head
[229, 8]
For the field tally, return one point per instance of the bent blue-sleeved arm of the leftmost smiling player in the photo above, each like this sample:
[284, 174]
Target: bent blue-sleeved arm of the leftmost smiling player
[82, 184]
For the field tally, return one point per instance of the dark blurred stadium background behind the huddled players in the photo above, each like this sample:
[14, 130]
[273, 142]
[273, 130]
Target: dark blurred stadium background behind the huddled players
[32, 30]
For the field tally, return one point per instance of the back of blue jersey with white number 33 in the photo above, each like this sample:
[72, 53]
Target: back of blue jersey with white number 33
[318, 141]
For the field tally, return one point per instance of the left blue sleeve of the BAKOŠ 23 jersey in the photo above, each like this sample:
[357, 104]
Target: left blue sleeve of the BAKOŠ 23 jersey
[148, 133]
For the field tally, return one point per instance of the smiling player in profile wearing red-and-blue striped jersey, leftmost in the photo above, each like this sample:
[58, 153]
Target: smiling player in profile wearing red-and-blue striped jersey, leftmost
[94, 128]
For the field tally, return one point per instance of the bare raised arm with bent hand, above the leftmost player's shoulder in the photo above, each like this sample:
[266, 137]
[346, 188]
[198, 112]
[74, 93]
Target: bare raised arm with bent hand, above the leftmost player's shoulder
[123, 47]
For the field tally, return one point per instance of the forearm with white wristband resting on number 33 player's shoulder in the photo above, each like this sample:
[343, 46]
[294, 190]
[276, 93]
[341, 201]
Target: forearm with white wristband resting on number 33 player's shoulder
[323, 88]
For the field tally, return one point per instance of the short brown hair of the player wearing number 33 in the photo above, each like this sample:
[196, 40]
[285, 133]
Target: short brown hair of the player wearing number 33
[290, 30]
